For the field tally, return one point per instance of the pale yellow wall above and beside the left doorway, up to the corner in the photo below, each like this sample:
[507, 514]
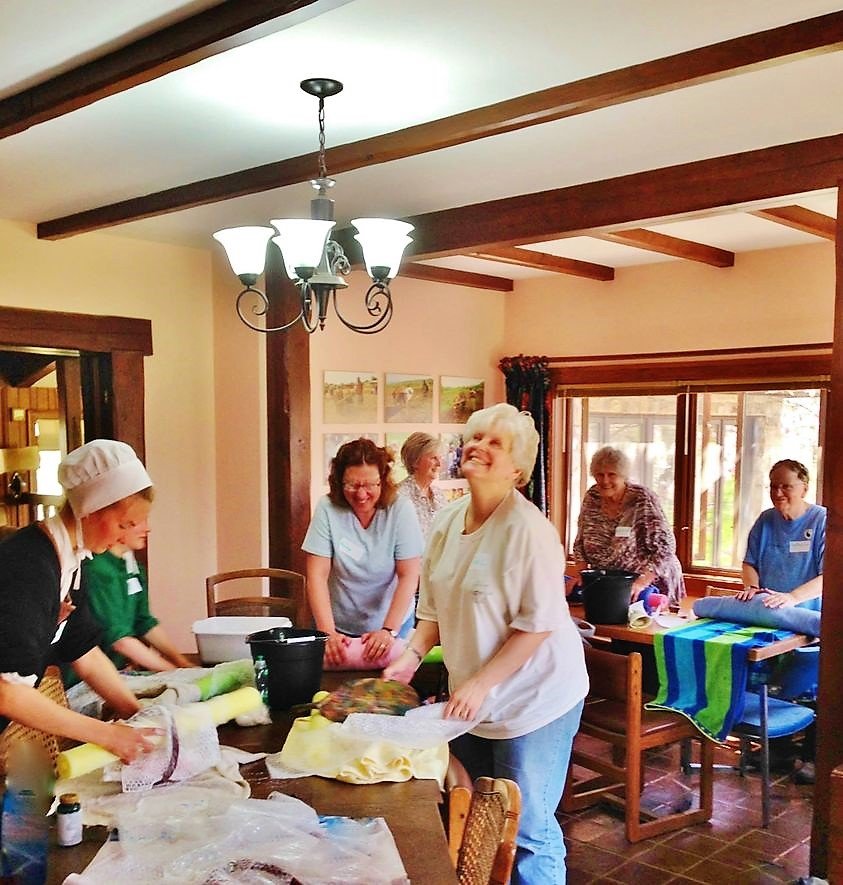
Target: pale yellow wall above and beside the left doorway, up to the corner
[171, 286]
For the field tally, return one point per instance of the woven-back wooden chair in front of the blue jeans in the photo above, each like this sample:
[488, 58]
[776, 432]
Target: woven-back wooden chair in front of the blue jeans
[482, 826]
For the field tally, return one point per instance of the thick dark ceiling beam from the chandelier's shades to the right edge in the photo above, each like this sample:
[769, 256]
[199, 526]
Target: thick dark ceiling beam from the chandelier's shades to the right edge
[643, 197]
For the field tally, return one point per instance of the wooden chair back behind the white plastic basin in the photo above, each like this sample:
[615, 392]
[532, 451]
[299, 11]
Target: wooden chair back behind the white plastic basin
[287, 597]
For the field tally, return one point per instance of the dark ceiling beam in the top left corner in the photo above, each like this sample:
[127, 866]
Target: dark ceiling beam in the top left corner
[176, 46]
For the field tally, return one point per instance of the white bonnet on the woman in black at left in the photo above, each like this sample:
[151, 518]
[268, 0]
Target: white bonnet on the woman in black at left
[100, 473]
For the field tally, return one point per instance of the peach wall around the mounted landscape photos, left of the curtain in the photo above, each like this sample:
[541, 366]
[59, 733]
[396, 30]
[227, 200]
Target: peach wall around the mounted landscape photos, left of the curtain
[436, 330]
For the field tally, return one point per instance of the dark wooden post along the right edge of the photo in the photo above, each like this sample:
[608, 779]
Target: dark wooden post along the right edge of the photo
[829, 707]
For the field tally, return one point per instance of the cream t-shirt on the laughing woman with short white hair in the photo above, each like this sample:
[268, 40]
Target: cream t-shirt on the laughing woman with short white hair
[508, 575]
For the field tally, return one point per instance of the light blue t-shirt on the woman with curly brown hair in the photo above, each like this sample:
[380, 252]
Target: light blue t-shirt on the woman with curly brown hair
[362, 577]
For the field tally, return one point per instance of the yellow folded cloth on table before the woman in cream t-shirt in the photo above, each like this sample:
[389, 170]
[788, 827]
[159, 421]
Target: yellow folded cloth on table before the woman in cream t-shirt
[316, 745]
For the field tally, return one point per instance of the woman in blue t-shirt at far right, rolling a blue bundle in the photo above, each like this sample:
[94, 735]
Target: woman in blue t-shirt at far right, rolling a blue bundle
[786, 546]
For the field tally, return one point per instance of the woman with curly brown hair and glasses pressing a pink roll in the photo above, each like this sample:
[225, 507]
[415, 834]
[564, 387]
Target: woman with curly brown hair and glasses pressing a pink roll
[364, 549]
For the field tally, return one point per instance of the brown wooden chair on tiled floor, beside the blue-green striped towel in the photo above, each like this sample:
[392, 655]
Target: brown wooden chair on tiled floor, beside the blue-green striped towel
[614, 714]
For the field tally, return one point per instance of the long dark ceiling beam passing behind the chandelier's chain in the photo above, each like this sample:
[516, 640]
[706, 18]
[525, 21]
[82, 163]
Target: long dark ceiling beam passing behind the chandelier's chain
[728, 58]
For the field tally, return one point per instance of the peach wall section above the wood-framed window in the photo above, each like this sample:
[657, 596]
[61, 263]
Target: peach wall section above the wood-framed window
[781, 296]
